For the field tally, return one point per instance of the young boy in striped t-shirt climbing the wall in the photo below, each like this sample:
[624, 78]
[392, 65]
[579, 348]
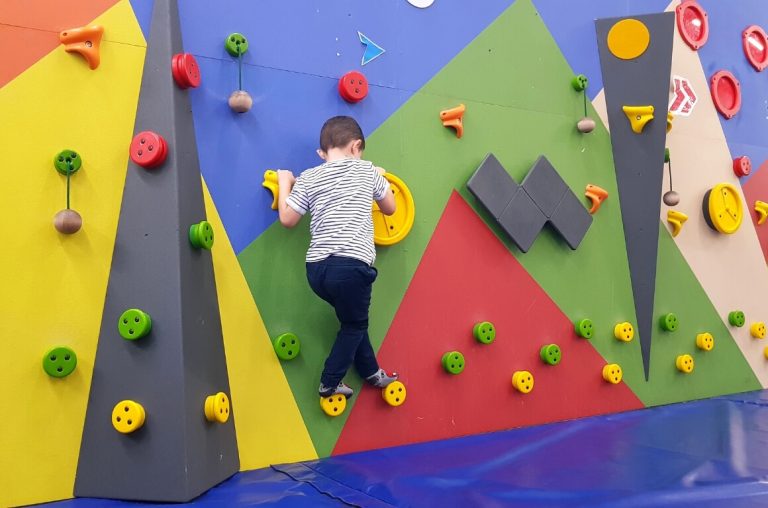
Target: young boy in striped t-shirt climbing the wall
[338, 195]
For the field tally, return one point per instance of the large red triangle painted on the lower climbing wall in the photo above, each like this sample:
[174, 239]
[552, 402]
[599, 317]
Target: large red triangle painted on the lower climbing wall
[465, 276]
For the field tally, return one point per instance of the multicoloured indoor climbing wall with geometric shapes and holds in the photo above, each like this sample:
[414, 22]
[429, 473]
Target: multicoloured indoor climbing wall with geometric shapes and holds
[581, 226]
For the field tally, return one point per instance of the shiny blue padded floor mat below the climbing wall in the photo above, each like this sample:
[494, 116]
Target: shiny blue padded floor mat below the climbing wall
[708, 453]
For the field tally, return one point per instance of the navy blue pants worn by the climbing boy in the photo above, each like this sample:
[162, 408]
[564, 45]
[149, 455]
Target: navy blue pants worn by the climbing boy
[346, 284]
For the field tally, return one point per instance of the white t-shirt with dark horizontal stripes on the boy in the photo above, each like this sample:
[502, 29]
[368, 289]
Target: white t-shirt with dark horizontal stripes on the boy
[338, 196]
